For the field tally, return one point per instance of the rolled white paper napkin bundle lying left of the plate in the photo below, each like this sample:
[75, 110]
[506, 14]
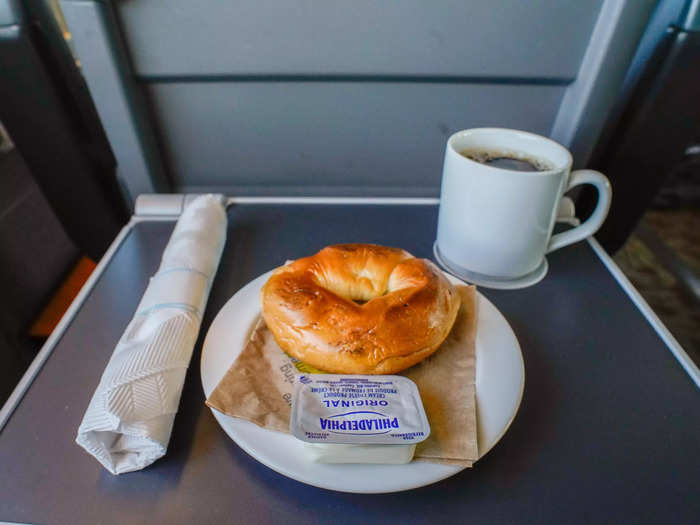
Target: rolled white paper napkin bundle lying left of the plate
[128, 422]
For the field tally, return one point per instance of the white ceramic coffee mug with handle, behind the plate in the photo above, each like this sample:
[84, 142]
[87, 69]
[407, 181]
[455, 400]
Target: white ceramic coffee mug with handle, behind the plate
[495, 225]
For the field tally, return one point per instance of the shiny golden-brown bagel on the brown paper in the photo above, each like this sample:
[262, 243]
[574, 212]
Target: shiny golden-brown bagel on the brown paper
[407, 309]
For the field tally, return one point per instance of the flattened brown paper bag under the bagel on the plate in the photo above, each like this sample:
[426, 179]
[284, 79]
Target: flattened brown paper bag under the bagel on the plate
[258, 387]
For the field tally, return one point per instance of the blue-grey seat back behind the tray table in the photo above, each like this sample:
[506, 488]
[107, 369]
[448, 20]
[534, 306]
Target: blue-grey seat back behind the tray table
[311, 97]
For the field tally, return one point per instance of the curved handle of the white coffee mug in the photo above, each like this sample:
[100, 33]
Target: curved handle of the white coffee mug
[590, 226]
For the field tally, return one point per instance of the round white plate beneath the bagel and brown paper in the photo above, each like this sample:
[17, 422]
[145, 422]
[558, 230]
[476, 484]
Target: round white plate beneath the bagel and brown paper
[500, 378]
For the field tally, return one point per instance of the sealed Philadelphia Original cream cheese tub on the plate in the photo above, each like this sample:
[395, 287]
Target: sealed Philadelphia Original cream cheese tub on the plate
[358, 419]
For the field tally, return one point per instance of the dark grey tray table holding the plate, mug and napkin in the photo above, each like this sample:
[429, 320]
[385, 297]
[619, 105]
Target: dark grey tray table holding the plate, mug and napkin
[608, 429]
